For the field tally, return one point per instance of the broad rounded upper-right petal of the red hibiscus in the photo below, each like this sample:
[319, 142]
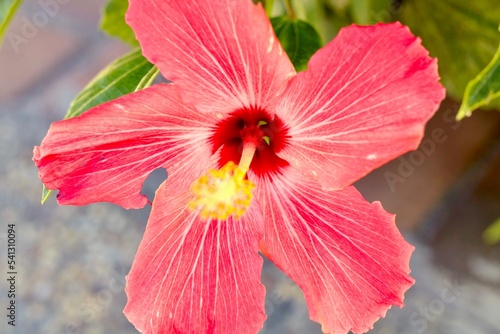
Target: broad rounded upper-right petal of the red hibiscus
[363, 101]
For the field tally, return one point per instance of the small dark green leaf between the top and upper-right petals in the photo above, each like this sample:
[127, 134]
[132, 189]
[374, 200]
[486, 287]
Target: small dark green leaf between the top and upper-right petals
[299, 39]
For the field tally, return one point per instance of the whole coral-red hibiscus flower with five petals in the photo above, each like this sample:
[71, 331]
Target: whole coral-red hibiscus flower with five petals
[259, 157]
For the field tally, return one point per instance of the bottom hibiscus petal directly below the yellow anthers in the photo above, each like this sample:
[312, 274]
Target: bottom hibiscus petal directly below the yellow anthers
[196, 276]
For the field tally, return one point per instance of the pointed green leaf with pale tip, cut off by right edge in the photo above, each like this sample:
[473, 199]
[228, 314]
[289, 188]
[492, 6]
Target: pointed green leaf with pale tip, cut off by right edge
[482, 89]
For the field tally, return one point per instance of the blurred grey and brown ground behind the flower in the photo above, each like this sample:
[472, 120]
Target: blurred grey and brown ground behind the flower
[72, 260]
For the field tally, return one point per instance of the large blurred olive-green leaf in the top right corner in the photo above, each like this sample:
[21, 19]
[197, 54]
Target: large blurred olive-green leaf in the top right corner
[462, 34]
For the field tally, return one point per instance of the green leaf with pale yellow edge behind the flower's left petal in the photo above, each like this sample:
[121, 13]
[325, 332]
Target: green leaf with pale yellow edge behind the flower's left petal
[127, 74]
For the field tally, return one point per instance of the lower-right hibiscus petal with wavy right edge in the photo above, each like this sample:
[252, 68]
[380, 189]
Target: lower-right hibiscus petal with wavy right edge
[345, 253]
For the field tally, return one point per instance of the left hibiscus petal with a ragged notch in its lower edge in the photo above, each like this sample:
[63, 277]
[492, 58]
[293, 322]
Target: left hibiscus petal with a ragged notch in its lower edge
[106, 154]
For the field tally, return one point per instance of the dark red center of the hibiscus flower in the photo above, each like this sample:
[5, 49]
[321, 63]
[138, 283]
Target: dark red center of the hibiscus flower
[242, 126]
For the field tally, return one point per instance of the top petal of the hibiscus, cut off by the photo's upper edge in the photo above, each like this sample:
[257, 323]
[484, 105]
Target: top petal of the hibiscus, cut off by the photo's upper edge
[223, 53]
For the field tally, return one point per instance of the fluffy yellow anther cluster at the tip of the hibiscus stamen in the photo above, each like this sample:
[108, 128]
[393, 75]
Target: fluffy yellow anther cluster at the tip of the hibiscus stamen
[222, 193]
